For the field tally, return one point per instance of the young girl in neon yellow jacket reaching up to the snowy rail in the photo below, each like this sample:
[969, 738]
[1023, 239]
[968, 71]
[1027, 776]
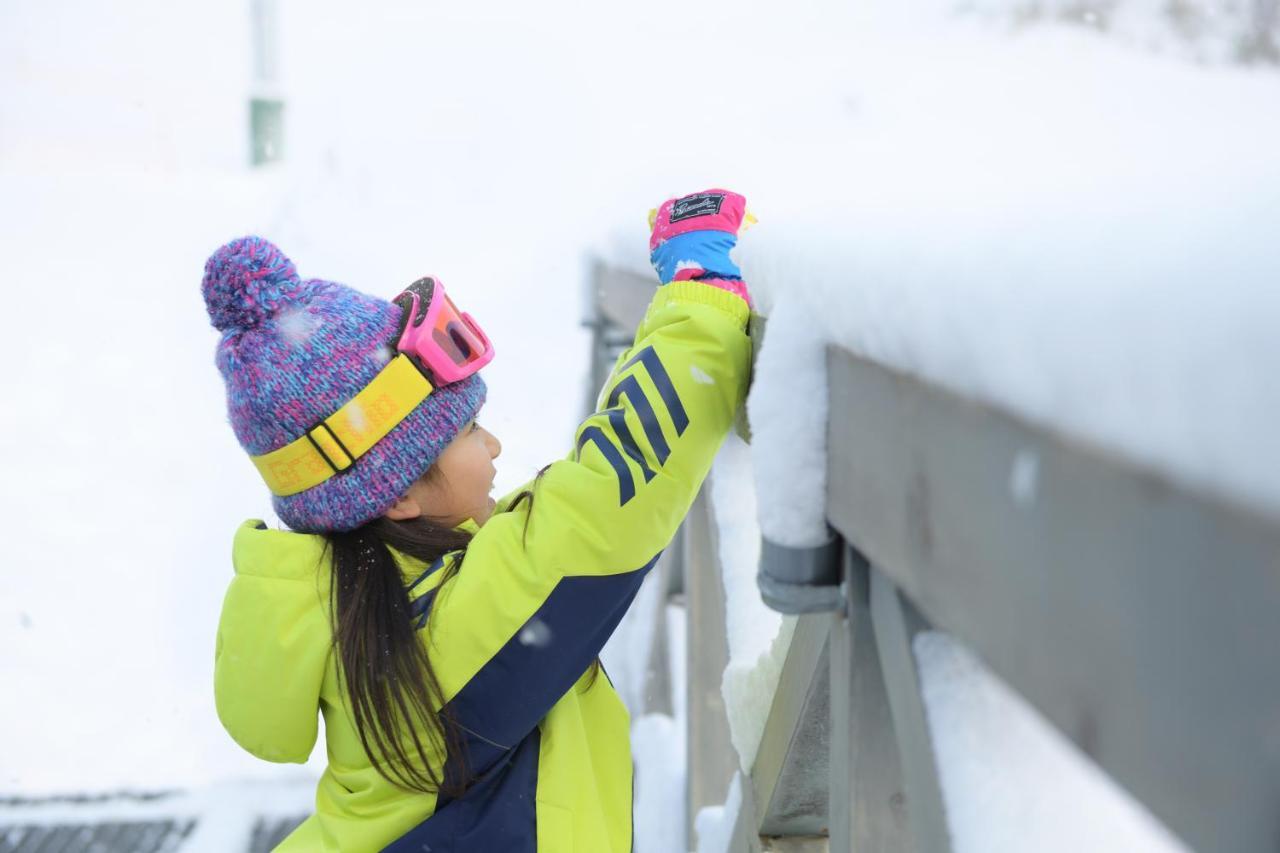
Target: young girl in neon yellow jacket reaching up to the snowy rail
[450, 640]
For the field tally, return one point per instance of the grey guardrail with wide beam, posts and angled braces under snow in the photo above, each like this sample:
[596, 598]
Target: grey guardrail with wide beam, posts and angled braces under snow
[1135, 614]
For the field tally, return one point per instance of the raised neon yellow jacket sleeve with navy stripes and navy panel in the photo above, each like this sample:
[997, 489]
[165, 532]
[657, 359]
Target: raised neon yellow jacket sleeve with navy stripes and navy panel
[532, 606]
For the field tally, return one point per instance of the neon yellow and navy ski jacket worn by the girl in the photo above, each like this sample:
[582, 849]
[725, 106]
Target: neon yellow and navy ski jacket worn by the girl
[514, 632]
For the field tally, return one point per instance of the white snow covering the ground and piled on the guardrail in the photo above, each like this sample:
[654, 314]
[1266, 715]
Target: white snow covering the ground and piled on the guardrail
[917, 176]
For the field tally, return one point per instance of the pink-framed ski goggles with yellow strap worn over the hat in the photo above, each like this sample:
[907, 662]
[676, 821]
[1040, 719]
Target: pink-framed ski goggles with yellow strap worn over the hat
[437, 346]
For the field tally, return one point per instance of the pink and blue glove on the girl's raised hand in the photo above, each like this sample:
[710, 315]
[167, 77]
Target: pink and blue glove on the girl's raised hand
[692, 238]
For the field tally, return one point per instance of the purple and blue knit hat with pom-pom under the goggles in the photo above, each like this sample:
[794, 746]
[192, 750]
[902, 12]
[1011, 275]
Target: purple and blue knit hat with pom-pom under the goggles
[292, 353]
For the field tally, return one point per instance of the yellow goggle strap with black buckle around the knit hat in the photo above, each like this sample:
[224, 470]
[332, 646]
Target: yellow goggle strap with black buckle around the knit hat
[336, 444]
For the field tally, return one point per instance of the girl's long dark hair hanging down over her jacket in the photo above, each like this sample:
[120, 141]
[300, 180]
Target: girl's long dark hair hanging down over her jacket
[390, 679]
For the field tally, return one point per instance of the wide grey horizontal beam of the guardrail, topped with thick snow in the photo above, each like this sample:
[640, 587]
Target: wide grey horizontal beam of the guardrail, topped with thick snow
[1136, 614]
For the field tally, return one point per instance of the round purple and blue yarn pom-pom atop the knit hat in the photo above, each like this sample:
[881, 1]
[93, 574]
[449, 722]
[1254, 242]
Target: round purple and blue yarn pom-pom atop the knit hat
[248, 282]
